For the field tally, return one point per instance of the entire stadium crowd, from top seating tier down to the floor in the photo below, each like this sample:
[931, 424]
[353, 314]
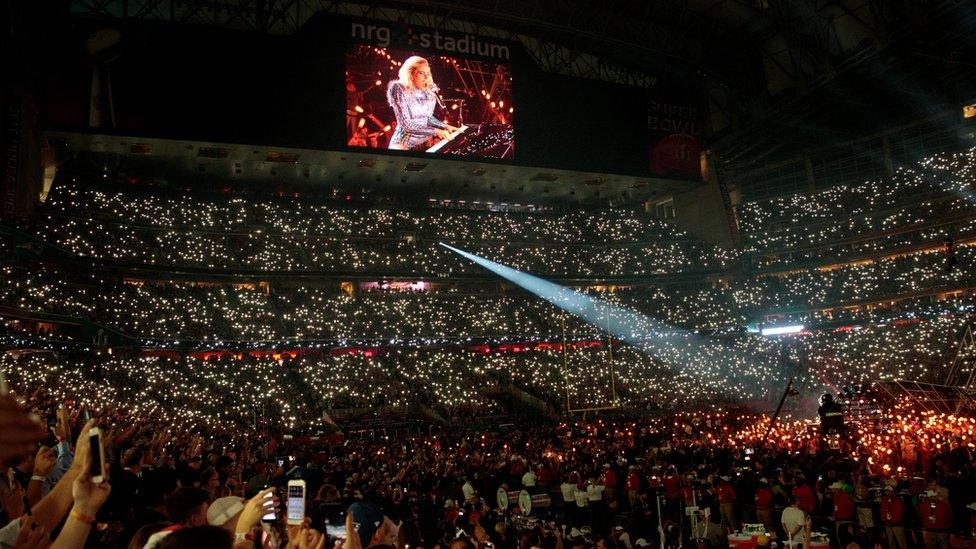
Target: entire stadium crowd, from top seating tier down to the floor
[193, 436]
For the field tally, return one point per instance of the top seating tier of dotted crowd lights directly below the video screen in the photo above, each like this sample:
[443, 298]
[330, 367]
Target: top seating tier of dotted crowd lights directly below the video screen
[154, 230]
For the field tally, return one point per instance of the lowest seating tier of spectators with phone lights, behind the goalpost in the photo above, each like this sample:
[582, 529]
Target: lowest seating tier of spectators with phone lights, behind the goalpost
[460, 376]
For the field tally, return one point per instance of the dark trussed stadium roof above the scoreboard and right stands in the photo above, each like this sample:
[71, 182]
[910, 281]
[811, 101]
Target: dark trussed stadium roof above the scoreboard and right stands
[778, 76]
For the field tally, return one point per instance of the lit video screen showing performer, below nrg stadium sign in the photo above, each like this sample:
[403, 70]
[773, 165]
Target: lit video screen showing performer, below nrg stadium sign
[422, 102]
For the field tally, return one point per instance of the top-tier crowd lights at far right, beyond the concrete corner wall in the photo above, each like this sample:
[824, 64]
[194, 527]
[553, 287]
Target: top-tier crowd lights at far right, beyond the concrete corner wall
[801, 227]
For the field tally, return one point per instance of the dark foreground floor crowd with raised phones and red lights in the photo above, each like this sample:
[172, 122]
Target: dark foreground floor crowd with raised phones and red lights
[905, 482]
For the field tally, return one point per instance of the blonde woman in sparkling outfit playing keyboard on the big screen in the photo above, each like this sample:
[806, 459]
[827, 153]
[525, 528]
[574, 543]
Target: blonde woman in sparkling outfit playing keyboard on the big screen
[413, 97]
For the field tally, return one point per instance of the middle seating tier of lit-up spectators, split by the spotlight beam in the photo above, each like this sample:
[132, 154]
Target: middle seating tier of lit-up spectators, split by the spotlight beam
[189, 311]
